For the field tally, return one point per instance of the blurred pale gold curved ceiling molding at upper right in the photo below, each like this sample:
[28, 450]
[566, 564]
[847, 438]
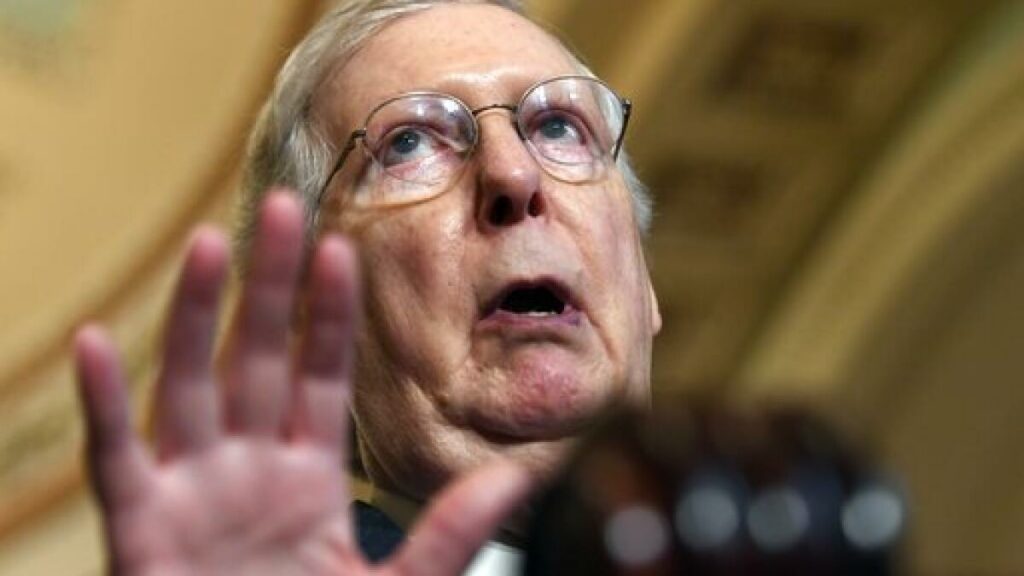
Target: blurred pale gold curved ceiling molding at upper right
[964, 142]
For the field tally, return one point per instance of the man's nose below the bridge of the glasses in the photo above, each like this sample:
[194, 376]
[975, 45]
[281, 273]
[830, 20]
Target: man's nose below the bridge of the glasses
[508, 177]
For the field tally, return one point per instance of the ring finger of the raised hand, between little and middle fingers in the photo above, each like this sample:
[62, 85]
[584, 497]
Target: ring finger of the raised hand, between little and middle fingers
[188, 412]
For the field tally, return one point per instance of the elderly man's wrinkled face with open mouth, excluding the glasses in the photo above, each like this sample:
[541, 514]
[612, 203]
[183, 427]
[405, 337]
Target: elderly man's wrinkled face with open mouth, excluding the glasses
[449, 376]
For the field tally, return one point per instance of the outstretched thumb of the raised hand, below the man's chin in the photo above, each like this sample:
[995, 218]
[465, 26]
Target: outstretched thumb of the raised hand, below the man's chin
[462, 520]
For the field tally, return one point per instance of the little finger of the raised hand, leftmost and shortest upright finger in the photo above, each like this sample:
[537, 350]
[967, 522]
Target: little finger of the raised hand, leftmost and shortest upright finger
[119, 466]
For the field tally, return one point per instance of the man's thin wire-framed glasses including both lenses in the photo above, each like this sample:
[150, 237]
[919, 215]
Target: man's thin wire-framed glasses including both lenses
[418, 144]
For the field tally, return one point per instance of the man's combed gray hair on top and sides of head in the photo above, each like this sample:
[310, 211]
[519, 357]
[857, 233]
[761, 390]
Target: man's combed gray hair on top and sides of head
[289, 147]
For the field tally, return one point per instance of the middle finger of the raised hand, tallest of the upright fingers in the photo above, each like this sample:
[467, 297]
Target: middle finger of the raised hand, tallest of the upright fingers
[258, 392]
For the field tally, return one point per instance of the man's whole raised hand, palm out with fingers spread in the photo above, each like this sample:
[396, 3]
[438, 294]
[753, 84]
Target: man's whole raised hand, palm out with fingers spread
[247, 476]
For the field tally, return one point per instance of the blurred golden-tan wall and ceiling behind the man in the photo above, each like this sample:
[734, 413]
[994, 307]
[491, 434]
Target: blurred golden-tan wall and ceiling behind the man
[840, 219]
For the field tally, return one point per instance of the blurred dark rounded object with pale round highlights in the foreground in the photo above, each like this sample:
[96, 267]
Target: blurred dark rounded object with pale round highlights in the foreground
[698, 488]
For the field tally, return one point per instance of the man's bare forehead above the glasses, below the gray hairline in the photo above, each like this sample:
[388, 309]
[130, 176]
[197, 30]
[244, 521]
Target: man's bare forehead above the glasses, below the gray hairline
[473, 59]
